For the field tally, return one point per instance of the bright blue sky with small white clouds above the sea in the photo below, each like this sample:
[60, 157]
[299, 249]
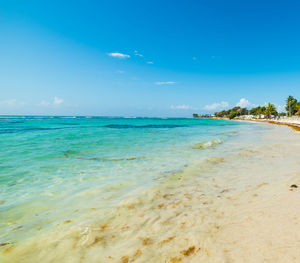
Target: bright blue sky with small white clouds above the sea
[146, 58]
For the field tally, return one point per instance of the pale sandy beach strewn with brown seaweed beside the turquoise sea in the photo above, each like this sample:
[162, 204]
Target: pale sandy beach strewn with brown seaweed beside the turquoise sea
[243, 207]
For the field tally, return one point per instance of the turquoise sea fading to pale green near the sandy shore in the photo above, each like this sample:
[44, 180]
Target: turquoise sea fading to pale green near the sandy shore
[56, 170]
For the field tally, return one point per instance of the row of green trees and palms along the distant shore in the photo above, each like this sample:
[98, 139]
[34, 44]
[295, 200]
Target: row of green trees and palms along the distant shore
[292, 108]
